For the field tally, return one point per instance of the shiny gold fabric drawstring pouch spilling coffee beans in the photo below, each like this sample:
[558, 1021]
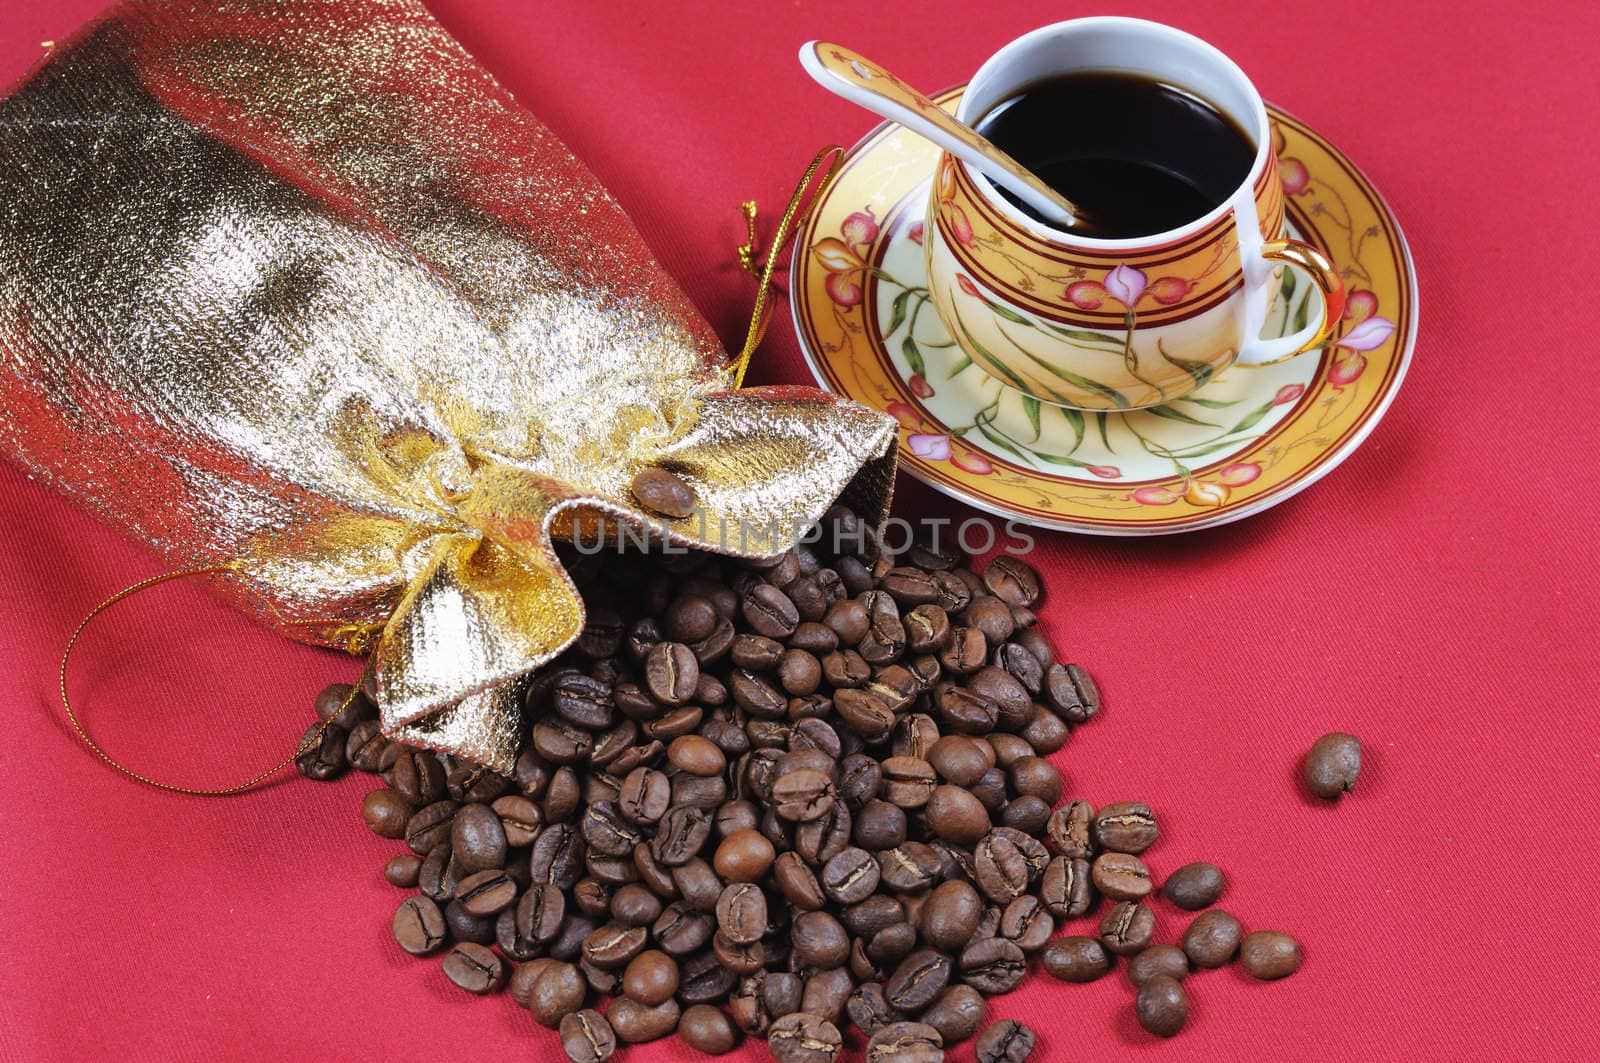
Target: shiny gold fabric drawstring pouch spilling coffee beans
[295, 283]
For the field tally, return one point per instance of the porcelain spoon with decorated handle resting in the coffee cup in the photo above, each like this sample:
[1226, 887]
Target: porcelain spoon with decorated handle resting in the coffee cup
[870, 86]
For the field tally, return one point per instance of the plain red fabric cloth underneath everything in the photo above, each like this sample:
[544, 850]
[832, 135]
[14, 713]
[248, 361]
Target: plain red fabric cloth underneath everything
[1436, 595]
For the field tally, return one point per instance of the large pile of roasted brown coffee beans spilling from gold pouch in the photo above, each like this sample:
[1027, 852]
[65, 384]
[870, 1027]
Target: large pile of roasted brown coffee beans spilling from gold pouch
[777, 801]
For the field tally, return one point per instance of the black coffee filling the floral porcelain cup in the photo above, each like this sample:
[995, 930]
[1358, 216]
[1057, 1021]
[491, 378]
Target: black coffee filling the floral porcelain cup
[1138, 156]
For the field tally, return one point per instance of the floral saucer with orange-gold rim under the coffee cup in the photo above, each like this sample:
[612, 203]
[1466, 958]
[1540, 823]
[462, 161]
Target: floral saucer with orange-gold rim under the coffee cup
[1242, 444]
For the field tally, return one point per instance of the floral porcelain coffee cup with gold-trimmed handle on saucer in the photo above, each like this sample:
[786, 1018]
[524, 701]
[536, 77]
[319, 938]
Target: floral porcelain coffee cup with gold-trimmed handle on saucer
[1102, 324]
